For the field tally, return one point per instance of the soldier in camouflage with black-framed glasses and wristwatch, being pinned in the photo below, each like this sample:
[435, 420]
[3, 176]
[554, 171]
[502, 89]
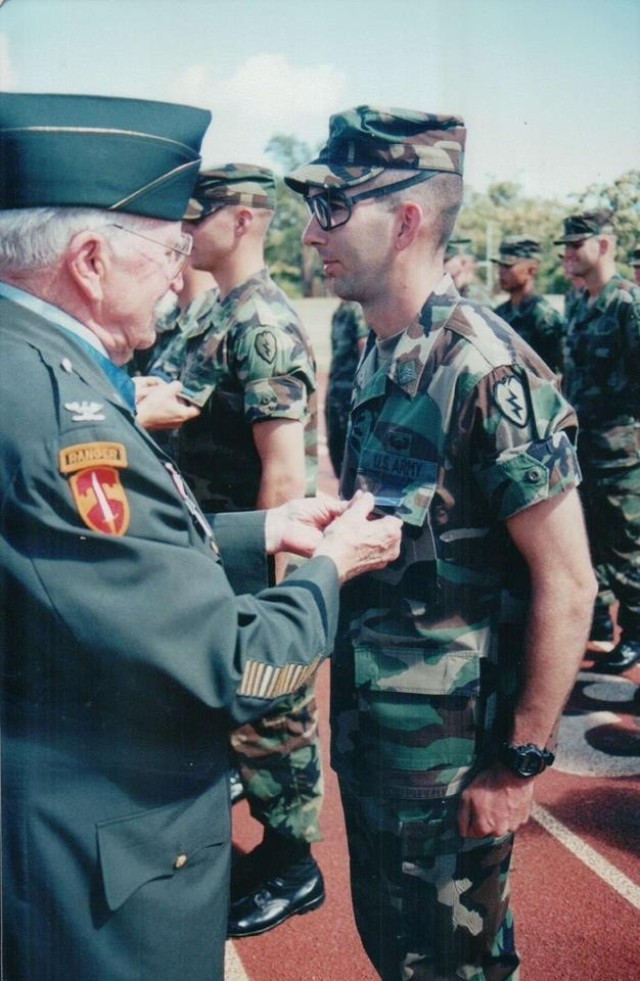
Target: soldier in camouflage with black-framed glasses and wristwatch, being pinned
[460, 429]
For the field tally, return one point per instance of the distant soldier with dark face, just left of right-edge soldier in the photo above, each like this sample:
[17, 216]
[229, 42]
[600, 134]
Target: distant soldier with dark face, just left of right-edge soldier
[530, 315]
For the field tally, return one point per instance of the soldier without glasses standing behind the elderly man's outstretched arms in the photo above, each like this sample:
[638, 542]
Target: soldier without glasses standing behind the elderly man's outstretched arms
[250, 370]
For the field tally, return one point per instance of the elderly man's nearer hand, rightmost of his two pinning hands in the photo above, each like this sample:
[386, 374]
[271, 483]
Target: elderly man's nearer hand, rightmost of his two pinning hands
[358, 544]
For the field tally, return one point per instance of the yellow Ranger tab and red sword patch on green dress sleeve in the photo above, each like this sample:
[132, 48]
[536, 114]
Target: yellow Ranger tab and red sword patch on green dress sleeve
[96, 486]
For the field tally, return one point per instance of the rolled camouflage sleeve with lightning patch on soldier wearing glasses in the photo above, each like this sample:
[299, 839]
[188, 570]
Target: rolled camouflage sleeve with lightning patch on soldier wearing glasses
[522, 440]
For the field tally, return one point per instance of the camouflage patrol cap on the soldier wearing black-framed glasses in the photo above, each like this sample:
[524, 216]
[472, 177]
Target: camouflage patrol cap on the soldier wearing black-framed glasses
[367, 141]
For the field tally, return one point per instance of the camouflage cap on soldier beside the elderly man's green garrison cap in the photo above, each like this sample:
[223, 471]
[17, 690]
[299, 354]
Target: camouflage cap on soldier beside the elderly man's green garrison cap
[245, 184]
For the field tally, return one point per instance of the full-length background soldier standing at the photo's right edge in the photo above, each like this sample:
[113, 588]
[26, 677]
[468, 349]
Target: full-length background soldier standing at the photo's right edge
[602, 380]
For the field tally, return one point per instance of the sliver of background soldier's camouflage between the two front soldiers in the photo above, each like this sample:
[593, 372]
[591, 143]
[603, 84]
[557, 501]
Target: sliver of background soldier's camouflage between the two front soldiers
[348, 337]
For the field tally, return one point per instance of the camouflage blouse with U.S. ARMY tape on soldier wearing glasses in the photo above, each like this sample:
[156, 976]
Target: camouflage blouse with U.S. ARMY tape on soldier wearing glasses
[462, 428]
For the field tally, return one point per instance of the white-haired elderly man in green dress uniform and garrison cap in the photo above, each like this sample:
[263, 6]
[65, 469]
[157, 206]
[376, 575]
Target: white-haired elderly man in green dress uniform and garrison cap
[126, 654]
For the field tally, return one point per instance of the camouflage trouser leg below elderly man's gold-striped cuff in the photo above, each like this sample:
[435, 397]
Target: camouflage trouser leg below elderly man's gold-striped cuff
[280, 765]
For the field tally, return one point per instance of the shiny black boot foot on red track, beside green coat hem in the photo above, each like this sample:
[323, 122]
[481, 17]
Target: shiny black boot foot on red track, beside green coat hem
[298, 890]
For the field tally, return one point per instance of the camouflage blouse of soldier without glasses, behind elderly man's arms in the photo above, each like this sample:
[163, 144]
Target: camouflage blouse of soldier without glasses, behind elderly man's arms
[252, 362]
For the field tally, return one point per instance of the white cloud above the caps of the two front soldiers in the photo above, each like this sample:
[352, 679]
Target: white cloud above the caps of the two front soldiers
[264, 96]
